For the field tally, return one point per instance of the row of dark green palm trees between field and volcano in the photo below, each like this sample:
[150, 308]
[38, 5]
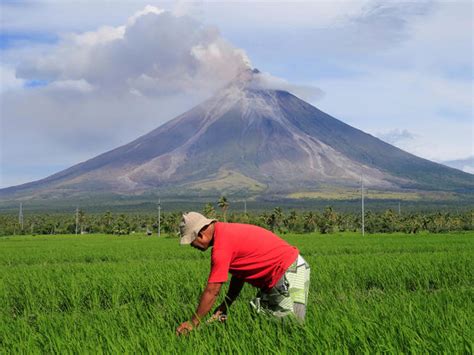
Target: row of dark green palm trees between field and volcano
[279, 221]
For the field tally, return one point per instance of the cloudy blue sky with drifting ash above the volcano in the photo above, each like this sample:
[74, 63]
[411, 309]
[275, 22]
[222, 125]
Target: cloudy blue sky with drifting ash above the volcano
[82, 77]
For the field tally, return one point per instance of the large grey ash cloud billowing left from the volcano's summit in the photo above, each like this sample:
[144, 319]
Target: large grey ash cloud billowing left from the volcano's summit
[155, 53]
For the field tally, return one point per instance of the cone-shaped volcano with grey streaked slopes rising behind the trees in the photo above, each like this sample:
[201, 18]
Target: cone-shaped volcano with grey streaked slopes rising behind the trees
[249, 139]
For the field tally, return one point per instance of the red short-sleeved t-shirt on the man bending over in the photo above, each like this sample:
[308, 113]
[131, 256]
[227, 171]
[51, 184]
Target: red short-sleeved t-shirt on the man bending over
[250, 253]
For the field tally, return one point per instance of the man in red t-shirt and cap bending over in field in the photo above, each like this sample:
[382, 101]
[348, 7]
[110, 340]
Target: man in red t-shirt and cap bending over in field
[250, 254]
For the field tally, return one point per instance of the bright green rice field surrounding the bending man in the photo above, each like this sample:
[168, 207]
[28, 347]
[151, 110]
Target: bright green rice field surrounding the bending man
[97, 293]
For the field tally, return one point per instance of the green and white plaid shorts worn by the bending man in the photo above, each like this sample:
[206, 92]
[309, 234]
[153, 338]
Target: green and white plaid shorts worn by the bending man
[289, 295]
